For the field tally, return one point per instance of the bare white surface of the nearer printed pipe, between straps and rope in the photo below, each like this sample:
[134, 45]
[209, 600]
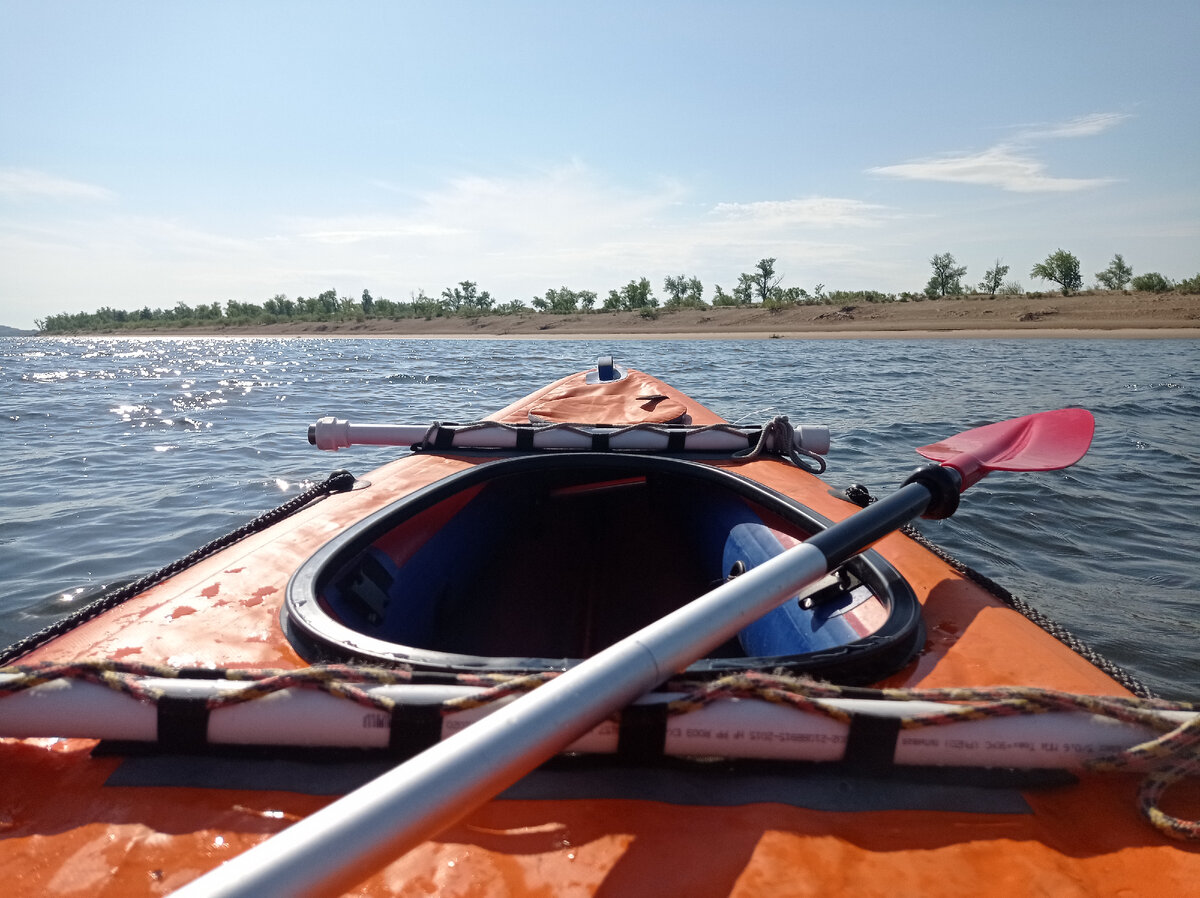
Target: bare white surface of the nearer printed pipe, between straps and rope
[731, 728]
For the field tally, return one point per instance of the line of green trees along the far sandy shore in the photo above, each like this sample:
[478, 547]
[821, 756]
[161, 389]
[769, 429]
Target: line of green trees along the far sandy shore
[764, 288]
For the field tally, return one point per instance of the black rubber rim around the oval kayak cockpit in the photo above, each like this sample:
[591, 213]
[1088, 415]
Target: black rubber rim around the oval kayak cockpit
[319, 638]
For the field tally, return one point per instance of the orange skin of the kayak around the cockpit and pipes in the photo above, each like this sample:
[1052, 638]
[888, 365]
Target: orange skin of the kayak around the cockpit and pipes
[81, 818]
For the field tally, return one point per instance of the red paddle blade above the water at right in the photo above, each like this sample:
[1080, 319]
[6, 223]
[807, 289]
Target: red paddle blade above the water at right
[1046, 441]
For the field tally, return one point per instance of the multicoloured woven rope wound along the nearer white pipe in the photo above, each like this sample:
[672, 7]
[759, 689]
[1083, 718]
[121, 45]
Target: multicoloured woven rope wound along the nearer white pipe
[1167, 759]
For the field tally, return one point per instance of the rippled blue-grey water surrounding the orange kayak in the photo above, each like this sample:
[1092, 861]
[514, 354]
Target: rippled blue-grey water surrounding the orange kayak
[121, 456]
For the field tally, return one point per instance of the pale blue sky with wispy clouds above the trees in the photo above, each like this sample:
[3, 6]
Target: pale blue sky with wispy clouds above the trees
[157, 153]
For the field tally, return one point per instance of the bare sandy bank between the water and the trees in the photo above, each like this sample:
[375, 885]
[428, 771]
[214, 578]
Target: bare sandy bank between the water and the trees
[1137, 316]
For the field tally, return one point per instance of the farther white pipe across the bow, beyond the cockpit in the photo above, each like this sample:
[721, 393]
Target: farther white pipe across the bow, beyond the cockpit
[334, 434]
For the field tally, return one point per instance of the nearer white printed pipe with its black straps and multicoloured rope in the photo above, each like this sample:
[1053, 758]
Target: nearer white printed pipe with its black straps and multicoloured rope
[752, 715]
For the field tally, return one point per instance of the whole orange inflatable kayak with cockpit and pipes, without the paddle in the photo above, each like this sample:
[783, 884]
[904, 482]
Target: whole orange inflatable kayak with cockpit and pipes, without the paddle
[503, 553]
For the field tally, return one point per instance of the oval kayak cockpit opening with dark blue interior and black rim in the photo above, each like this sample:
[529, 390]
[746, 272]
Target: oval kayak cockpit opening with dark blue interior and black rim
[535, 562]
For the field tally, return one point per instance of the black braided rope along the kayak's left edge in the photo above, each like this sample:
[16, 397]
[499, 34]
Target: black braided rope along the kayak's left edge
[338, 482]
